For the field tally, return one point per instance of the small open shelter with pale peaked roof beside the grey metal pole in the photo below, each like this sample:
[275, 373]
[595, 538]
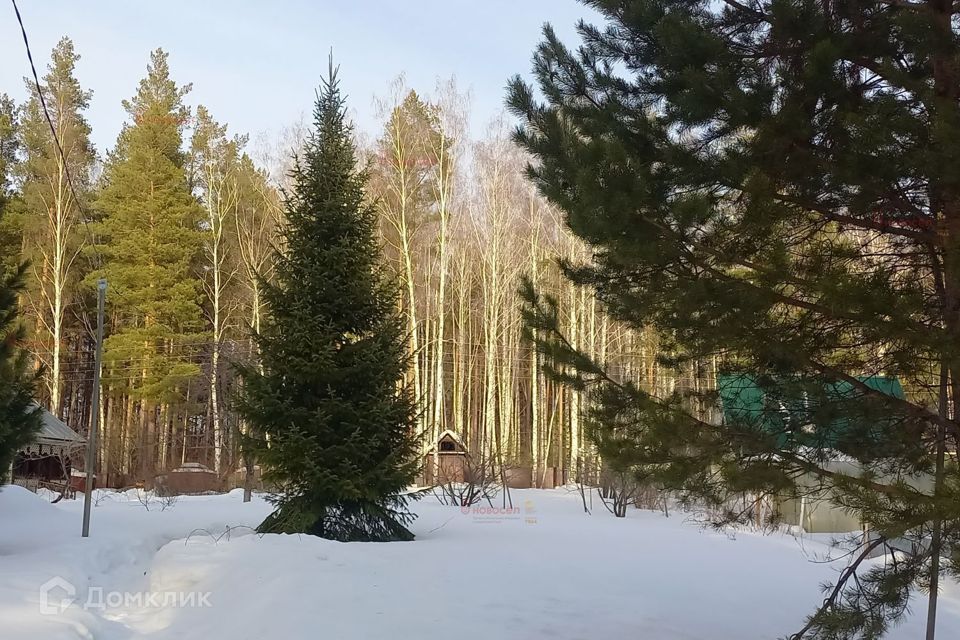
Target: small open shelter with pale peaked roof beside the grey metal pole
[47, 461]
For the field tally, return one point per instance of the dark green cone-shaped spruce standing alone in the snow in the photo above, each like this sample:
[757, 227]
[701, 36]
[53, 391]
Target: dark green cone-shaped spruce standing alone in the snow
[332, 422]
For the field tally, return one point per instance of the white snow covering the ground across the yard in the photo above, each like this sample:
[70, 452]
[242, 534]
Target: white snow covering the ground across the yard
[544, 570]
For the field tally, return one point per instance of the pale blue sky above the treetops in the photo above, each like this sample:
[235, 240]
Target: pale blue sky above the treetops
[255, 64]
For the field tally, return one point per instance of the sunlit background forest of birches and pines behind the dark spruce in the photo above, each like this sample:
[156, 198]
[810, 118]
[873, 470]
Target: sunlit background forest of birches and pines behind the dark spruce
[181, 217]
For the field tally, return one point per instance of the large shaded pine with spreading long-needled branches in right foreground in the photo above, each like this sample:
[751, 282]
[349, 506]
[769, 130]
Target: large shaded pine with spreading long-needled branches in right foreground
[773, 185]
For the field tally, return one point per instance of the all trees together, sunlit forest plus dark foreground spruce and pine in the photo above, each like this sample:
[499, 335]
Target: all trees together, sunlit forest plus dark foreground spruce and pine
[764, 193]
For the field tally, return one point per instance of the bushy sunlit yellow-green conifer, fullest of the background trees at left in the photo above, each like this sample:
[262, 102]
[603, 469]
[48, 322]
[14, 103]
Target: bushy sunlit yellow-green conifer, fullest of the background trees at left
[151, 241]
